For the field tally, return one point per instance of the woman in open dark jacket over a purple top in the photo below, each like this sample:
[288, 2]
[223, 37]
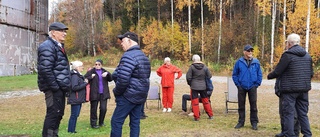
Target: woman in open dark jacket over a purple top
[99, 92]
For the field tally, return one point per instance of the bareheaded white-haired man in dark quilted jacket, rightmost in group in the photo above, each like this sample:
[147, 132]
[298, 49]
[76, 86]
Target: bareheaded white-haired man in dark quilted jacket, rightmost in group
[294, 72]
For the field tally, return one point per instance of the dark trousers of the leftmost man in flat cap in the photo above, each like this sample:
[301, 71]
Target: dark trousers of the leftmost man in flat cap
[55, 103]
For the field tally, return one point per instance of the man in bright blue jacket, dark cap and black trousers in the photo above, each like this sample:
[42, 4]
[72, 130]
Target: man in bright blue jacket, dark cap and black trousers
[247, 76]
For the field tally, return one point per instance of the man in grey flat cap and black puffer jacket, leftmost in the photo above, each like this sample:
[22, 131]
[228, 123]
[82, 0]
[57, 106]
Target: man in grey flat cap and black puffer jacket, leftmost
[53, 77]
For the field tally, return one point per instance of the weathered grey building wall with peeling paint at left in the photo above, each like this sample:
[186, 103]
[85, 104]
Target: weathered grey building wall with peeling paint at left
[23, 26]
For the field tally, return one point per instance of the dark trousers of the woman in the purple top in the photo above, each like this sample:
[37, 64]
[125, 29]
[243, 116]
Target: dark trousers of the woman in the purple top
[93, 111]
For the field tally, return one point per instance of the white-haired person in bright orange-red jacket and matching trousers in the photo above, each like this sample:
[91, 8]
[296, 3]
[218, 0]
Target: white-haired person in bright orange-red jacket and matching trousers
[167, 73]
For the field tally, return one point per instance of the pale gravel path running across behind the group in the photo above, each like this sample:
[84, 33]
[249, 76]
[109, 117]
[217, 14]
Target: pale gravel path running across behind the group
[154, 79]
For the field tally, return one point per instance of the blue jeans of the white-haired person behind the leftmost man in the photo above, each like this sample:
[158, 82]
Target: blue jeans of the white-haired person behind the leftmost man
[75, 111]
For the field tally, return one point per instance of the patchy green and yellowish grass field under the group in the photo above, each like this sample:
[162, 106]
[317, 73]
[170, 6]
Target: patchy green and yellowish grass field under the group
[25, 115]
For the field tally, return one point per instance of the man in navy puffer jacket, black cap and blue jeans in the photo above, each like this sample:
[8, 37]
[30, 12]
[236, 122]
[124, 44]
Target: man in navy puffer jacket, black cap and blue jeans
[131, 86]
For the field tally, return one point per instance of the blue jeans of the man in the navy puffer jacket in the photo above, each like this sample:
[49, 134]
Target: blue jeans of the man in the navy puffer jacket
[122, 110]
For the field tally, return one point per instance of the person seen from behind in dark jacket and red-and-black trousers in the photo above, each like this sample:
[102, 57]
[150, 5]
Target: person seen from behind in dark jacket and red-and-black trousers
[196, 78]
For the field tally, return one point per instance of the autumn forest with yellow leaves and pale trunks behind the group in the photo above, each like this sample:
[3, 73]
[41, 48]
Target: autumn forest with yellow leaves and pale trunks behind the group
[217, 30]
